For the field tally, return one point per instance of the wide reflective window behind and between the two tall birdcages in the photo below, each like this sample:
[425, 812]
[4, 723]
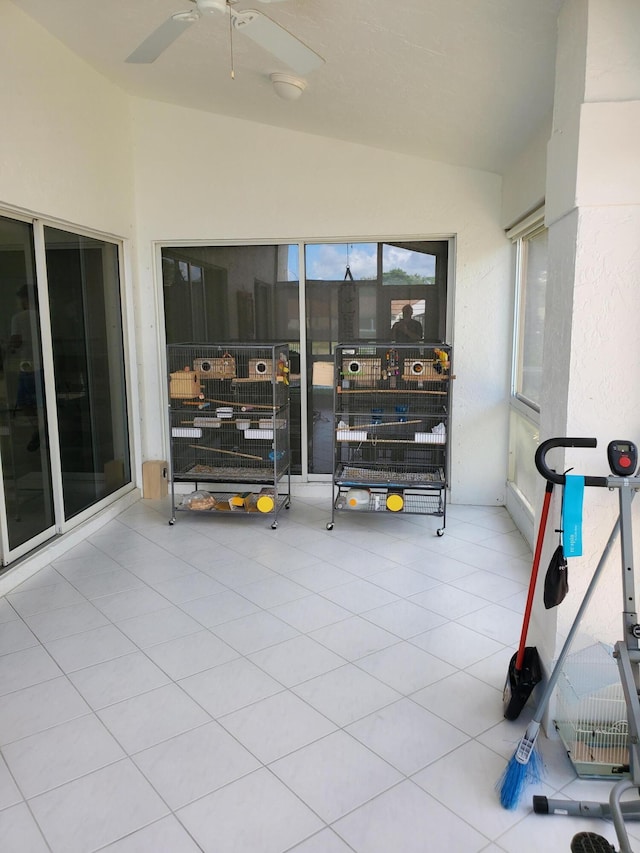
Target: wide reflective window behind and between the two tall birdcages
[350, 291]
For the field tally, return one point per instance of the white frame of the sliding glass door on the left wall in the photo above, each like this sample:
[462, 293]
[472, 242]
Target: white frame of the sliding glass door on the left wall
[61, 525]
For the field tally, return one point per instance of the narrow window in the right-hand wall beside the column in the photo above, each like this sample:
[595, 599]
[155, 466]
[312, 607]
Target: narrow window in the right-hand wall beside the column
[531, 253]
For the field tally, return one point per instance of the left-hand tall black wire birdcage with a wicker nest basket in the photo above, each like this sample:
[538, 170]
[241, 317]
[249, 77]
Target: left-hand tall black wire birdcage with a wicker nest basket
[229, 424]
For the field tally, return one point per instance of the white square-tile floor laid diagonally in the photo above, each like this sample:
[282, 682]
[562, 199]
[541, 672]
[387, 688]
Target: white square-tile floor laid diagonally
[219, 686]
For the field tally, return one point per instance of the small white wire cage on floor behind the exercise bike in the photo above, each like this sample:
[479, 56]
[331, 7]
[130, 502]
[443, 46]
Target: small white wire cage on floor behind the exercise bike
[591, 713]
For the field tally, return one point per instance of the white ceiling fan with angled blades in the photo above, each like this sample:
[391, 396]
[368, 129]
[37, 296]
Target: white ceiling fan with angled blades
[258, 27]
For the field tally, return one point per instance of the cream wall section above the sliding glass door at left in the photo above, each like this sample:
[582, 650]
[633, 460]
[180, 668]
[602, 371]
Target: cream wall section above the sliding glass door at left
[65, 145]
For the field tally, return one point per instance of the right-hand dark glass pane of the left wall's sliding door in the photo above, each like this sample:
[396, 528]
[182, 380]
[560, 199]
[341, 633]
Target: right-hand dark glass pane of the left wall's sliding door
[88, 361]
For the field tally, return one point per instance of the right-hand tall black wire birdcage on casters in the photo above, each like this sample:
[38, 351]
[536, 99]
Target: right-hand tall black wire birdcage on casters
[391, 407]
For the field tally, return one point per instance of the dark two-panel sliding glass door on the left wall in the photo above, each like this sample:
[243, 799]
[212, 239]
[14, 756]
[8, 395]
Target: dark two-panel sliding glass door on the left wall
[64, 436]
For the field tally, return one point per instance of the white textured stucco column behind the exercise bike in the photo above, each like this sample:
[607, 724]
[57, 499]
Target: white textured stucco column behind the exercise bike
[592, 326]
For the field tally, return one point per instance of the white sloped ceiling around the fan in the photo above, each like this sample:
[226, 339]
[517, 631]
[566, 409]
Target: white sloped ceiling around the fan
[466, 82]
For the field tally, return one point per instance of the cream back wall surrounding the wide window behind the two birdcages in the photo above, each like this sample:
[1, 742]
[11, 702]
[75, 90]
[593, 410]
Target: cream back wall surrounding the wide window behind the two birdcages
[205, 177]
